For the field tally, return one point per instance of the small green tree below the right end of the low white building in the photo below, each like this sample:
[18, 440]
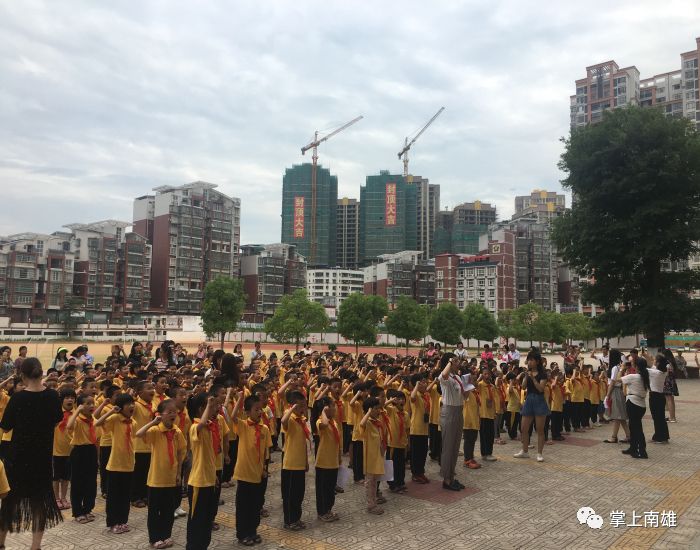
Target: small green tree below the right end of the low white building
[358, 317]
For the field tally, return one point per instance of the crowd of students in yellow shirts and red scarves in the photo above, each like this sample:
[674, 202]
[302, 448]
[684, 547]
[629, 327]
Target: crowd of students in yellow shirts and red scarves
[157, 426]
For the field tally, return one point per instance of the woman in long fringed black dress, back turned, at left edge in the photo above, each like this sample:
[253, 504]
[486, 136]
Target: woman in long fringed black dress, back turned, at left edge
[32, 415]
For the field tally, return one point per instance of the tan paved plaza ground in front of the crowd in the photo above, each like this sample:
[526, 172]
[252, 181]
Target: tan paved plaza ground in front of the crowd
[510, 503]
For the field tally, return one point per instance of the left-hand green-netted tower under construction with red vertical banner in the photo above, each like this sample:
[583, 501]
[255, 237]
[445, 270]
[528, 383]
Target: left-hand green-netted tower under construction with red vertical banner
[301, 218]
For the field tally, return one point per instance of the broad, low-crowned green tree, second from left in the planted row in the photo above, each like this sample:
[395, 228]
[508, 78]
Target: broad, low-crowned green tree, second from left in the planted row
[295, 317]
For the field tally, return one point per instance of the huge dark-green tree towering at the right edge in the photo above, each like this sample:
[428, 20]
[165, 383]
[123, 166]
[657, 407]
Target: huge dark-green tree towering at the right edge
[636, 179]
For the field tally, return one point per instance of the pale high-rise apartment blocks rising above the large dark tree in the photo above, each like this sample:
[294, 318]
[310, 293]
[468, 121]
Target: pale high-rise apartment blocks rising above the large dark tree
[606, 86]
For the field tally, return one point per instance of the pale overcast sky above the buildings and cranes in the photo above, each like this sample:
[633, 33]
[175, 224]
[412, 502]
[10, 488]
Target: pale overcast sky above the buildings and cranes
[102, 101]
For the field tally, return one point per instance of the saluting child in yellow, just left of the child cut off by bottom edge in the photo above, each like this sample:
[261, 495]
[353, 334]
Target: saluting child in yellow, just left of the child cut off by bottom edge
[168, 450]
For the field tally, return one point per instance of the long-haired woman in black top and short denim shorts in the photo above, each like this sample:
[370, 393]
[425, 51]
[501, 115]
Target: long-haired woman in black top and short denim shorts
[535, 380]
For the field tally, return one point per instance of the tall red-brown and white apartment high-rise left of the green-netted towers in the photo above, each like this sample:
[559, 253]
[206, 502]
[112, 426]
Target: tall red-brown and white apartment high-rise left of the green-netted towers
[194, 232]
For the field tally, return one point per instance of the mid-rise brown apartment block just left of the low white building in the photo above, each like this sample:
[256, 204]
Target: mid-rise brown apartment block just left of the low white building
[269, 272]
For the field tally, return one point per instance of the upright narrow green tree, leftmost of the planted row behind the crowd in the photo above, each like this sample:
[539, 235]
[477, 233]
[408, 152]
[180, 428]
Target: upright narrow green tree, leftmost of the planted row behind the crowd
[222, 306]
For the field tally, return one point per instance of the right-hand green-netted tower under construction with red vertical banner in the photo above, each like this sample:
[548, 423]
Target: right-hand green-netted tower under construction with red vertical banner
[387, 216]
